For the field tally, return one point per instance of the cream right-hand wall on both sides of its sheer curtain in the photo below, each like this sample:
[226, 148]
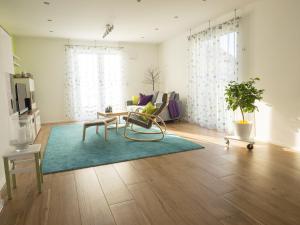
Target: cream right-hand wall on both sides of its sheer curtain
[271, 49]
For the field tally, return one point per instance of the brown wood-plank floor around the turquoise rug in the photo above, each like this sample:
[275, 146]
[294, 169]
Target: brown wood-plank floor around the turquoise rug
[211, 186]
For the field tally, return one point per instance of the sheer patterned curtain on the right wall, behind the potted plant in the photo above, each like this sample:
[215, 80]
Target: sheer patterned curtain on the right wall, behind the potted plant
[213, 62]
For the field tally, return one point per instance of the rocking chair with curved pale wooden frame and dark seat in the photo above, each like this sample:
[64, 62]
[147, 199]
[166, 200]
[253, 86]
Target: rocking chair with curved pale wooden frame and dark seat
[146, 121]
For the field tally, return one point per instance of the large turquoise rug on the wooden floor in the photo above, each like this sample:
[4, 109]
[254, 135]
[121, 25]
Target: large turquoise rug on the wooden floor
[66, 151]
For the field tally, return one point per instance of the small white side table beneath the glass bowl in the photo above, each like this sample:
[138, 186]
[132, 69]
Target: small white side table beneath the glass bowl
[32, 154]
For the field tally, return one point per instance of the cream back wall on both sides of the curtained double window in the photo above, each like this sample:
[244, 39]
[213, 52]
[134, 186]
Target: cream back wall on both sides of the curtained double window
[45, 58]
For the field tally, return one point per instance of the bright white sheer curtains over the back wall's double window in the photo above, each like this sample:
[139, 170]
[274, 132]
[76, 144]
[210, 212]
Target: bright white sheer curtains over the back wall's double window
[93, 81]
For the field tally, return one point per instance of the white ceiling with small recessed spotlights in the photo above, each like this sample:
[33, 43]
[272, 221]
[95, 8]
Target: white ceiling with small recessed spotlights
[144, 21]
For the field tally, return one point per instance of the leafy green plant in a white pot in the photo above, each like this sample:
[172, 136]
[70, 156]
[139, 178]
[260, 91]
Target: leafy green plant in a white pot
[242, 96]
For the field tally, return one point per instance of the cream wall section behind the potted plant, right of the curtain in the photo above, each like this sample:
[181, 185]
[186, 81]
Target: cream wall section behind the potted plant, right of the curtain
[274, 54]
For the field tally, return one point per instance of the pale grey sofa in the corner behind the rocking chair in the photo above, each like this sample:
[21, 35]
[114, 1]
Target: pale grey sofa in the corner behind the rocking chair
[157, 101]
